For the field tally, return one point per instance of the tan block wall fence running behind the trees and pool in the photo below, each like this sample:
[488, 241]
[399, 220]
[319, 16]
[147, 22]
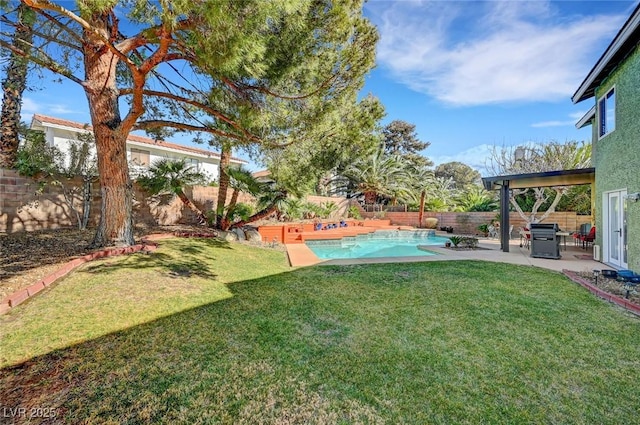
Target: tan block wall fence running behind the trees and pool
[21, 208]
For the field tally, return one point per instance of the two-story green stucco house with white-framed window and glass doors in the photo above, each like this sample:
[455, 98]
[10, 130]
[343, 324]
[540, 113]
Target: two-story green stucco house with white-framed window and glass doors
[613, 86]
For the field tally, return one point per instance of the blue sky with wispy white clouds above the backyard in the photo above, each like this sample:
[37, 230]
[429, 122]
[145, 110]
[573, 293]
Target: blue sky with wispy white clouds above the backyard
[469, 74]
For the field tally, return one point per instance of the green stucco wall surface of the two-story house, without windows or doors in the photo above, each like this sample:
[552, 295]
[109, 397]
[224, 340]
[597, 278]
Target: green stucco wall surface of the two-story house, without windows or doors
[616, 156]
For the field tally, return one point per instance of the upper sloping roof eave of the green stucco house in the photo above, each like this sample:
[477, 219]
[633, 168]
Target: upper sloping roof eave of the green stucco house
[622, 45]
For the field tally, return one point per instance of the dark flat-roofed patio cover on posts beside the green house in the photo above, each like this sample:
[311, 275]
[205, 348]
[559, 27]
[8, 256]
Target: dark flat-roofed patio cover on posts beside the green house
[531, 180]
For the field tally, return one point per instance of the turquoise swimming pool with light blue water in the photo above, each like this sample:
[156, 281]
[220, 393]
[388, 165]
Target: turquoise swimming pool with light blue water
[382, 243]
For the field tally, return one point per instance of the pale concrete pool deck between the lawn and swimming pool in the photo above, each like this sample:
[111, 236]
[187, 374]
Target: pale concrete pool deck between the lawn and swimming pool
[574, 258]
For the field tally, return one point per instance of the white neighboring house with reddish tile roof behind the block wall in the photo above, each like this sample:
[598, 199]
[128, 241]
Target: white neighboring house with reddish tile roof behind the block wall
[141, 151]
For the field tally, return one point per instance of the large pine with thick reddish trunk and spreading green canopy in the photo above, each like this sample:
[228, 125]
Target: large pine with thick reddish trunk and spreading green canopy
[256, 72]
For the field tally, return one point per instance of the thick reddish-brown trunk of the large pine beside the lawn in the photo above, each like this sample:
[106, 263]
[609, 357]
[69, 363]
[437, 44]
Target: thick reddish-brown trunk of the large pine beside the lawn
[116, 219]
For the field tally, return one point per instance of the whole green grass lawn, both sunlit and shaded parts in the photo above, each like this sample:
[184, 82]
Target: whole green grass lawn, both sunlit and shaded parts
[208, 332]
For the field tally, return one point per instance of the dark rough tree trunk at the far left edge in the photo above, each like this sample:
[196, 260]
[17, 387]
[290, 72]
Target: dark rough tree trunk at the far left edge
[13, 86]
